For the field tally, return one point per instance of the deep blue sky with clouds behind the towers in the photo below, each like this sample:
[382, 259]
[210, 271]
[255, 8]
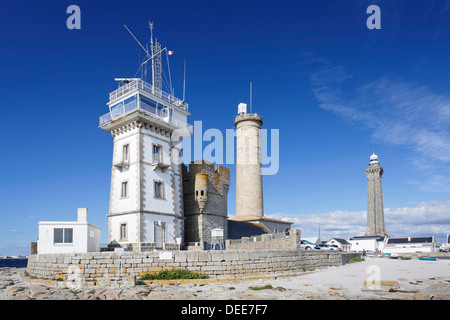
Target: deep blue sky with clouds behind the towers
[335, 89]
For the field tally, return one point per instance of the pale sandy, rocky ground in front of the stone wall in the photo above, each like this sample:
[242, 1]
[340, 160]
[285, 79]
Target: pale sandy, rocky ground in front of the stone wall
[392, 279]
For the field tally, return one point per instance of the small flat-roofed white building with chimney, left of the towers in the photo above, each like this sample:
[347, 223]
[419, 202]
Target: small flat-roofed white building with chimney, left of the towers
[68, 236]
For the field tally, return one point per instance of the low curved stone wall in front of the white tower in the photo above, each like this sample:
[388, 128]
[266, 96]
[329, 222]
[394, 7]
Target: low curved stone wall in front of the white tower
[113, 266]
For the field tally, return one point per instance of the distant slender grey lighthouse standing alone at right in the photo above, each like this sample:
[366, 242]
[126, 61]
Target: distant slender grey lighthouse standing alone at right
[375, 211]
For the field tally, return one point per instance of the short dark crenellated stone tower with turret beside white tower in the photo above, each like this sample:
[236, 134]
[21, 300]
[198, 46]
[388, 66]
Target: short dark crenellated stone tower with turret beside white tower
[205, 194]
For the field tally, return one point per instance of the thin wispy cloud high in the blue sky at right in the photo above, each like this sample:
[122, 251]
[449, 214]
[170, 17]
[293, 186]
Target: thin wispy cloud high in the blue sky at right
[396, 112]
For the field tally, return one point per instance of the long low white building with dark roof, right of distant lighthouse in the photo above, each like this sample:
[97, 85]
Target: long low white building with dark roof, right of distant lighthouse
[410, 245]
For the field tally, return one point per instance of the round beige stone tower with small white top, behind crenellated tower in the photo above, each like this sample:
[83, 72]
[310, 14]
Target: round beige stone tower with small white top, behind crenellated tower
[249, 191]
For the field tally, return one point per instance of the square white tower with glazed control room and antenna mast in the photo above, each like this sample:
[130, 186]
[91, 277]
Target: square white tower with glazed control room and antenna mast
[146, 205]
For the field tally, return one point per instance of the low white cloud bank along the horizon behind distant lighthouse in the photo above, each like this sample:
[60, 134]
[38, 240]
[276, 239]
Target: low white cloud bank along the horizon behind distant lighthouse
[421, 219]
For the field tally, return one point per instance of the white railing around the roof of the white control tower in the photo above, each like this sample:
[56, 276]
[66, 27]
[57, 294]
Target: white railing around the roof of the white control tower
[147, 87]
